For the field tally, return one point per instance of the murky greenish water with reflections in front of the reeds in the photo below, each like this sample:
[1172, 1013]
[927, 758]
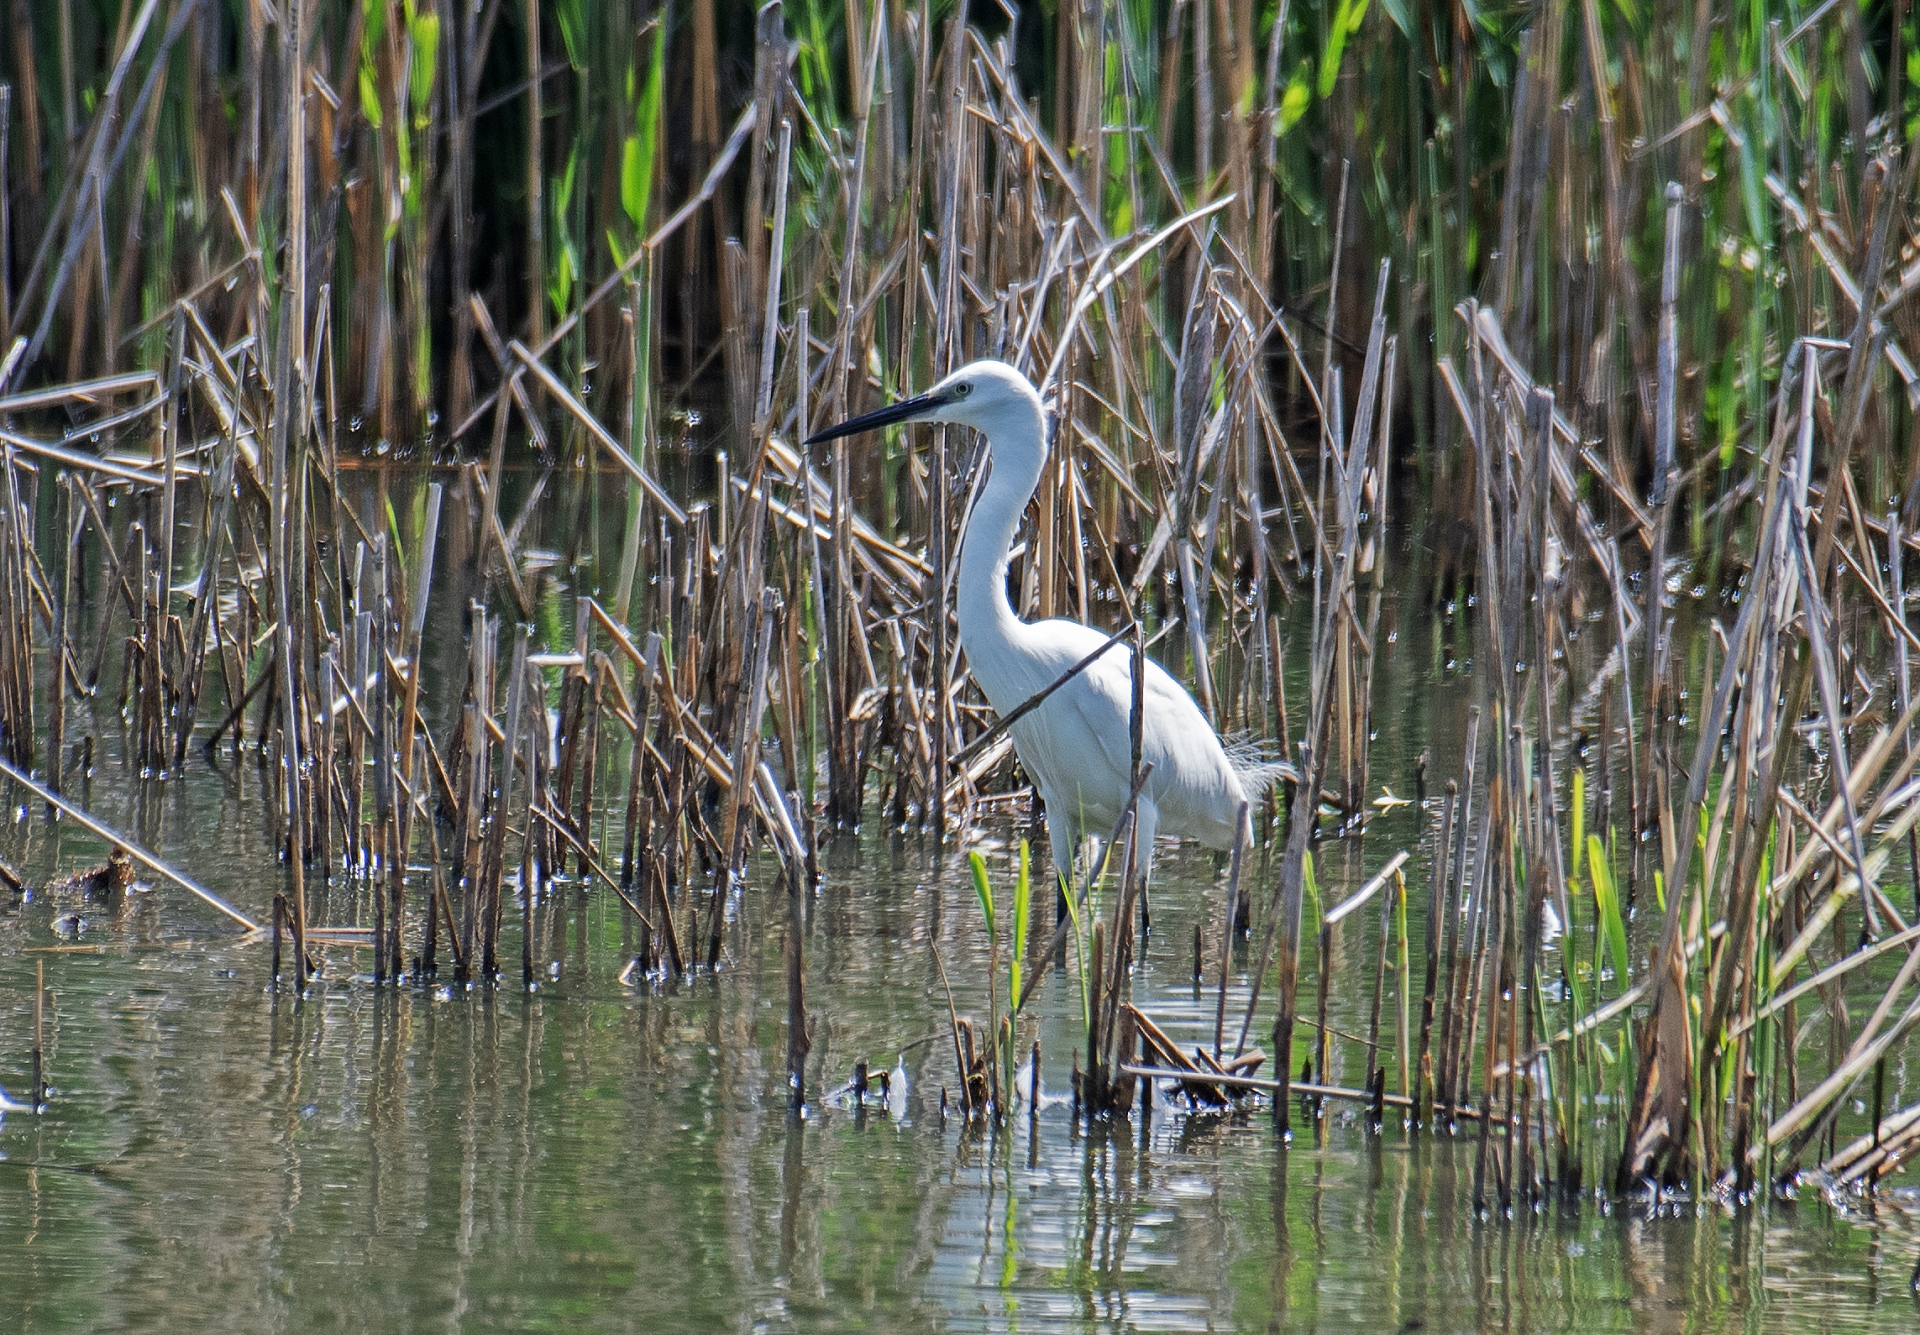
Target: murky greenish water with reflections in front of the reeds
[619, 1157]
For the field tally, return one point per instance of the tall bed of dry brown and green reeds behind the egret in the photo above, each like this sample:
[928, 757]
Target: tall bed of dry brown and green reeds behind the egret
[1600, 301]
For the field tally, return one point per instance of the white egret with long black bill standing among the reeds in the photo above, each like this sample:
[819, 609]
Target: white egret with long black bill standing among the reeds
[1078, 746]
